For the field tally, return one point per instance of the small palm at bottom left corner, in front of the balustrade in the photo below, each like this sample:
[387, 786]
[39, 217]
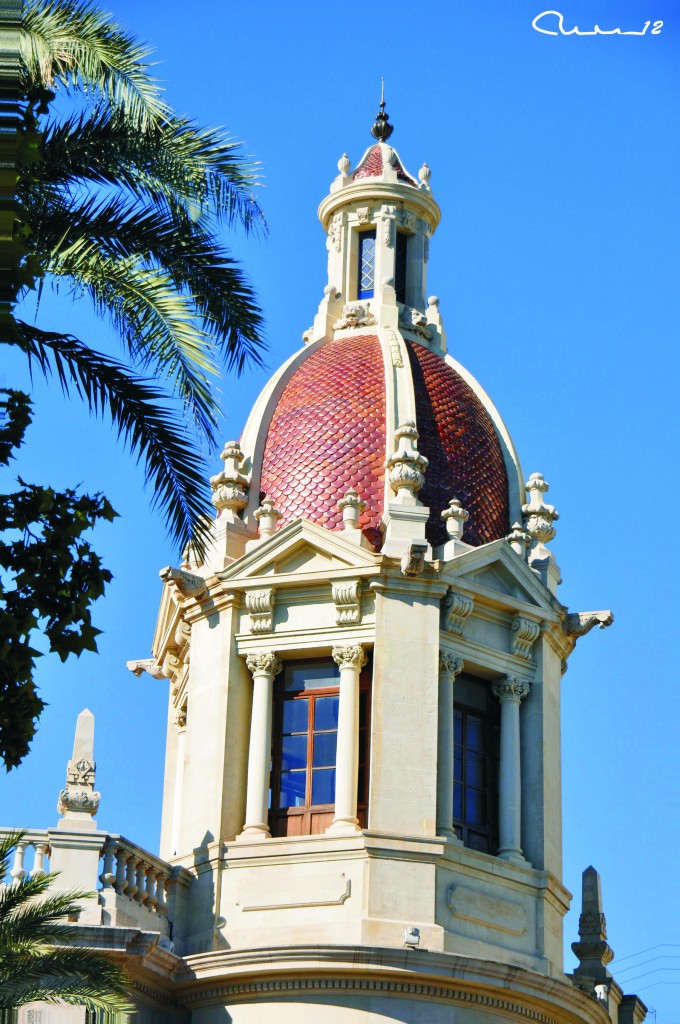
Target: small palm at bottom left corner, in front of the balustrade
[37, 962]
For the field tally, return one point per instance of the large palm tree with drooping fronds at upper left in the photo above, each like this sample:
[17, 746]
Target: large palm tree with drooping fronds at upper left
[123, 203]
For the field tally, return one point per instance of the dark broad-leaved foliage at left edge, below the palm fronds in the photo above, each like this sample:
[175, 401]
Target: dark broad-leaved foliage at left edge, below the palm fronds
[50, 576]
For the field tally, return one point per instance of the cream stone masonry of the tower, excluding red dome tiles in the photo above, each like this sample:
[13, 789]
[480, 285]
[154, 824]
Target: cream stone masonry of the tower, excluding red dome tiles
[381, 908]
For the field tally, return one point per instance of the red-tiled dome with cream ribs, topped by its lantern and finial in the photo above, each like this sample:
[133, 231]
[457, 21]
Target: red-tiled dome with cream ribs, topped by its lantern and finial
[373, 403]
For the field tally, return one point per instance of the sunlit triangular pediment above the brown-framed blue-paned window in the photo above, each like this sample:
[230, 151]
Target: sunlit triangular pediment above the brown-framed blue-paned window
[301, 548]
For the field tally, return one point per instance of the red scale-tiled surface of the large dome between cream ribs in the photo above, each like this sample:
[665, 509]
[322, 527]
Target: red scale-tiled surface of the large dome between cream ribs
[328, 435]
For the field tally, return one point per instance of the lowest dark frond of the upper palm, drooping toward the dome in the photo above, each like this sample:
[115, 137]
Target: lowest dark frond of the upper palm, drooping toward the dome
[173, 468]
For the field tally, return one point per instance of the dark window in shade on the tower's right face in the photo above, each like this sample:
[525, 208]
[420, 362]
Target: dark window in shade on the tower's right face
[477, 738]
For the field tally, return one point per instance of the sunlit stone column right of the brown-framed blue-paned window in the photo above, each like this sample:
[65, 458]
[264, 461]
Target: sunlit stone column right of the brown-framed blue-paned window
[351, 661]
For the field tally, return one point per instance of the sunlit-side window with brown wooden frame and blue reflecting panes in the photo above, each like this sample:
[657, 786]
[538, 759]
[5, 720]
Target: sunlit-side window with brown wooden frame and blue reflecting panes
[306, 736]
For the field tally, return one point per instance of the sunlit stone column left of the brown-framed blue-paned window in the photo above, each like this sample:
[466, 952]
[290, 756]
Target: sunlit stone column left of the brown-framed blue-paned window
[266, 667]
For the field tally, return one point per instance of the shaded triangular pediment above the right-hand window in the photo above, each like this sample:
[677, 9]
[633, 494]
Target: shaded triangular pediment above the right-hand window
[496, 568]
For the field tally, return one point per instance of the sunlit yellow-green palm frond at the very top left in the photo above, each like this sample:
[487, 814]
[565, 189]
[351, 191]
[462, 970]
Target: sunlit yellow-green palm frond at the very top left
[82, 48]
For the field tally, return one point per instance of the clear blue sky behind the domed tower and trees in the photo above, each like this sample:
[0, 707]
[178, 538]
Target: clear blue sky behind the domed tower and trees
[556, 161]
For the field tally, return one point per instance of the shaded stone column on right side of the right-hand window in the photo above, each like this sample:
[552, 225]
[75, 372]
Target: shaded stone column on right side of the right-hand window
[511, 691]
